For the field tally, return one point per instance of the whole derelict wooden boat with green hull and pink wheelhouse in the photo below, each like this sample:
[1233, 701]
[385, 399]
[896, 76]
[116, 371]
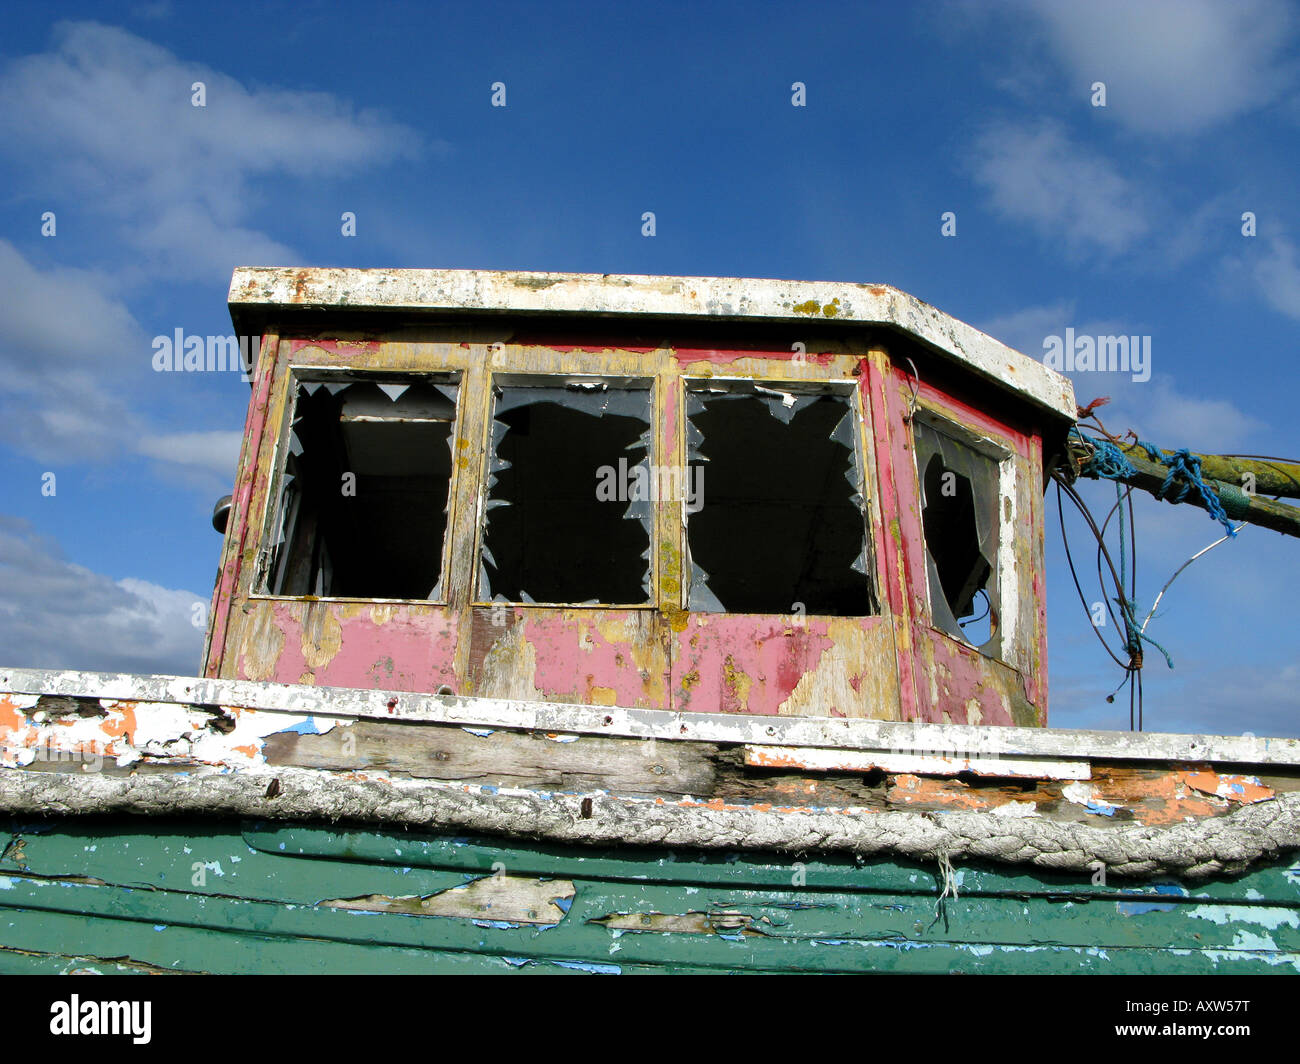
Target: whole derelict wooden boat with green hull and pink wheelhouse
[463, 713]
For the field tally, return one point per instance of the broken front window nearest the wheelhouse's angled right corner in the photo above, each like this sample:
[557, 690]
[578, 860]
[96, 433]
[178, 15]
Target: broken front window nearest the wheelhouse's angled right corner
[778, 525]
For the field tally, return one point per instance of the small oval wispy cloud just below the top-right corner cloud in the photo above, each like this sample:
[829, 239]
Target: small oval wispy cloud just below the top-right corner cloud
[1037, 176]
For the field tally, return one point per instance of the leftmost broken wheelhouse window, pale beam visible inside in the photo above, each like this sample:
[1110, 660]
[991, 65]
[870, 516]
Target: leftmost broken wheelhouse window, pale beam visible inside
[363, 511]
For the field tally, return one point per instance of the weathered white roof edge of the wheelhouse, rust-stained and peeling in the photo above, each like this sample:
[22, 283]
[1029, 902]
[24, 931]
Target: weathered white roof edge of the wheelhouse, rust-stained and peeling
[259, 293]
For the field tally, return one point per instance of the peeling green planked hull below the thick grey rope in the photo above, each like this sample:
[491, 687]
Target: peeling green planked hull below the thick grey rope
[135, 896]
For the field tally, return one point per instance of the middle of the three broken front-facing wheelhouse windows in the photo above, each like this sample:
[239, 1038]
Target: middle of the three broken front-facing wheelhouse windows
[569, 499]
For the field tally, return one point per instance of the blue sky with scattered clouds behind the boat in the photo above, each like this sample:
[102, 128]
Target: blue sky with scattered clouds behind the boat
[1119, 219]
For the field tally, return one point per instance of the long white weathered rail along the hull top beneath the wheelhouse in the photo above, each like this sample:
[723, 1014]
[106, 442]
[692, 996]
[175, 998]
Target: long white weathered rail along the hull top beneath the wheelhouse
[300, 702]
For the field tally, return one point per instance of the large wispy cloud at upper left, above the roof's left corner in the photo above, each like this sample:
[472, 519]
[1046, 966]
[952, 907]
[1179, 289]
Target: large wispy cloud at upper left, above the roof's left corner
[110, 118]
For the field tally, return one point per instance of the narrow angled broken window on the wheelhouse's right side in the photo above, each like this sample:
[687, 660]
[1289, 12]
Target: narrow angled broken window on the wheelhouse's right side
[960, 516]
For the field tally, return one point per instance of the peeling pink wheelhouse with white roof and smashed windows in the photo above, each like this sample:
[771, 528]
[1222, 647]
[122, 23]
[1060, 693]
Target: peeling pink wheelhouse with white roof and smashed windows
[675, 494]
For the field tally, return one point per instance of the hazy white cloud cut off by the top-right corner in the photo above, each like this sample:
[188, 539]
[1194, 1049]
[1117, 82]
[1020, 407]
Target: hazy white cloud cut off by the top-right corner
[1175, 67]
